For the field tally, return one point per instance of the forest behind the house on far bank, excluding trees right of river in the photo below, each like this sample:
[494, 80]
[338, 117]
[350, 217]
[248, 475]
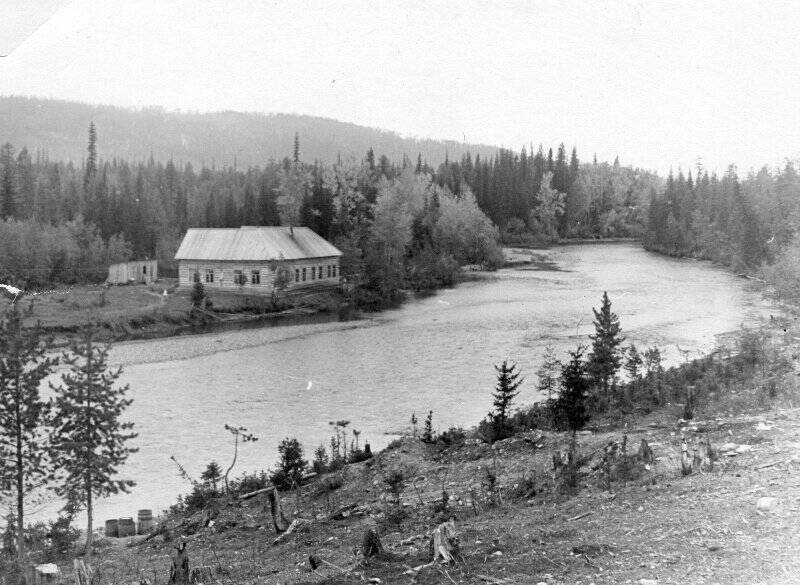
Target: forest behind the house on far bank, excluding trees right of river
[398, 221]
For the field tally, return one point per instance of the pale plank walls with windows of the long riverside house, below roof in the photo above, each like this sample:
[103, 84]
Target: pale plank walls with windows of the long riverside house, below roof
[224, 274]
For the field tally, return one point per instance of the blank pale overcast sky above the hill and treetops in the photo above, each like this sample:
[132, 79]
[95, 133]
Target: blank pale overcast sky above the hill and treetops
[657, 83]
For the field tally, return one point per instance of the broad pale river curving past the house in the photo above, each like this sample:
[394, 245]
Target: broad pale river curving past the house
[435, 353]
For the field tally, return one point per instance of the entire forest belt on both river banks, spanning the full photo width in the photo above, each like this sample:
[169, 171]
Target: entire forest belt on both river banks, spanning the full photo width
[402, 223]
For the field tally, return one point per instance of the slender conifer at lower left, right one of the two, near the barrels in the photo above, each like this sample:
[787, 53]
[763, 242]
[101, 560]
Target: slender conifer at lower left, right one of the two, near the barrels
[90, 439]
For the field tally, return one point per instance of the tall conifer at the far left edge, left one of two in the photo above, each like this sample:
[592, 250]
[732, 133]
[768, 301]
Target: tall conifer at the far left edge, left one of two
[25, 464]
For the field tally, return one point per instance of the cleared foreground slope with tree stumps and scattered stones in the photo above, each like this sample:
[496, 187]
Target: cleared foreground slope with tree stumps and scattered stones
[623, 517]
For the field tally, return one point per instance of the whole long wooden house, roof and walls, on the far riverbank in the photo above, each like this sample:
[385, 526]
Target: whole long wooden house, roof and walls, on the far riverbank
[249, 259]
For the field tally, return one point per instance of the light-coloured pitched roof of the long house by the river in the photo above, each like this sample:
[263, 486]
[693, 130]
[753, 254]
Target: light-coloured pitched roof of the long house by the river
[254, 243]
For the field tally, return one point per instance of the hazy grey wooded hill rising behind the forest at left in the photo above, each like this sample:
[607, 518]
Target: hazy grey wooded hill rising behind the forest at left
[220, 138]
